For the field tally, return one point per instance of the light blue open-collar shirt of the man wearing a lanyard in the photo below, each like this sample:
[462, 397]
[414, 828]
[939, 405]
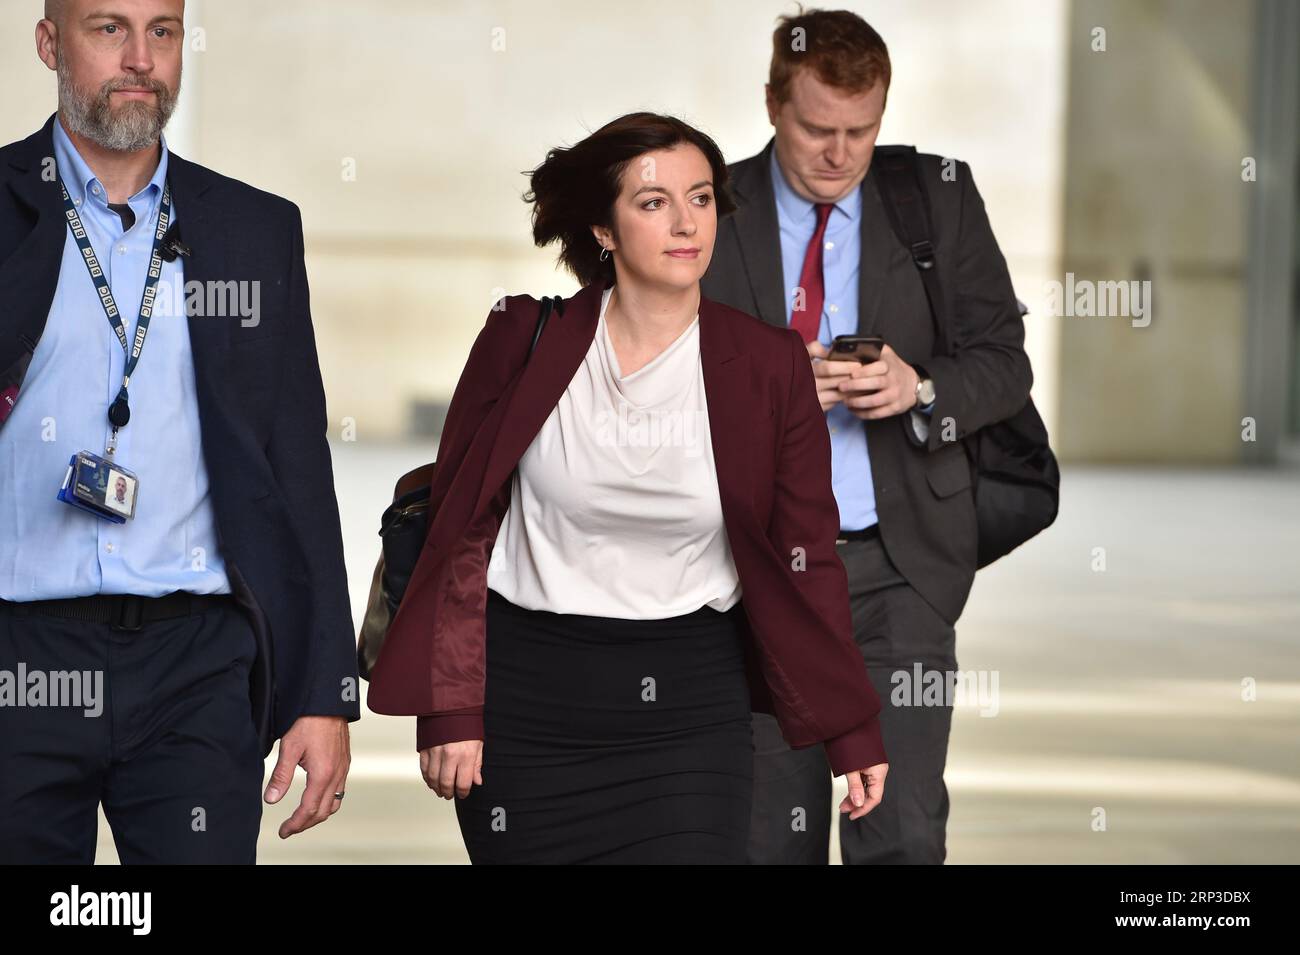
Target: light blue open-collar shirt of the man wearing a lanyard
[54, 550]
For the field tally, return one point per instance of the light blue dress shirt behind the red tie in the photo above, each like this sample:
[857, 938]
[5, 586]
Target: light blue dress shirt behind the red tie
[851, 465]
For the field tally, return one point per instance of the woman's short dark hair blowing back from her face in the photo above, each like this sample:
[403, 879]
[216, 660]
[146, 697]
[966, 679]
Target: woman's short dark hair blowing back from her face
[577, 188]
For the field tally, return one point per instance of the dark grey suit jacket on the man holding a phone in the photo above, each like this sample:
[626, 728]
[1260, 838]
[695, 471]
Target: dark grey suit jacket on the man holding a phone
[924, 496]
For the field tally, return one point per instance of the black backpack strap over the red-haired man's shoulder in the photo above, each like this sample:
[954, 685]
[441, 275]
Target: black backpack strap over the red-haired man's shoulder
[908, 210]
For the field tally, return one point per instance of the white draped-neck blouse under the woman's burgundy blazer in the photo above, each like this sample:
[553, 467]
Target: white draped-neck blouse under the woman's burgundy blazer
[614, 510]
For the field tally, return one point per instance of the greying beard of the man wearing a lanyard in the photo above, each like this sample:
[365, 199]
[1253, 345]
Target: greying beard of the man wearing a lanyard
[135, 125]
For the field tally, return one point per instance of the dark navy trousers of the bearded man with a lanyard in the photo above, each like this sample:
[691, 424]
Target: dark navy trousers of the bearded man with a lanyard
[172, 753]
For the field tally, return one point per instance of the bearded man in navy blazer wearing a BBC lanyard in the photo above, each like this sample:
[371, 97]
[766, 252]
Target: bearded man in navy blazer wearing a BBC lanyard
[157, 318]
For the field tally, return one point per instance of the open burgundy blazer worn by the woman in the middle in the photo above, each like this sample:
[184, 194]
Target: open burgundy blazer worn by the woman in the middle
[773, 458]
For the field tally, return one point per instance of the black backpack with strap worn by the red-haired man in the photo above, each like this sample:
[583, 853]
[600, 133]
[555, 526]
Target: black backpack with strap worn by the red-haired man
[1015, 475]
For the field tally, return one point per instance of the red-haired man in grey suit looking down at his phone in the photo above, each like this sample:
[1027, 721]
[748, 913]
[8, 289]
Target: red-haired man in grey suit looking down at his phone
[812, 249]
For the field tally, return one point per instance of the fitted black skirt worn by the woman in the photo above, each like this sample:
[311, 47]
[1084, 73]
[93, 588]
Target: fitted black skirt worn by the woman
[612, 741]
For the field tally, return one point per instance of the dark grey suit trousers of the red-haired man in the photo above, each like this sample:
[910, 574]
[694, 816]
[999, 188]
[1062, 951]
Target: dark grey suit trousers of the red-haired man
[792, 810]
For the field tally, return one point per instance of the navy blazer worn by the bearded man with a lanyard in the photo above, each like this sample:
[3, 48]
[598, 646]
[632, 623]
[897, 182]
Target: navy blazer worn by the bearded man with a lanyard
[262, 411]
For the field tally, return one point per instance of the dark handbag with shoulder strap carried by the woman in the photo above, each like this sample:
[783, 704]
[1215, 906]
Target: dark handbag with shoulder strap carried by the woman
[404, 529]
